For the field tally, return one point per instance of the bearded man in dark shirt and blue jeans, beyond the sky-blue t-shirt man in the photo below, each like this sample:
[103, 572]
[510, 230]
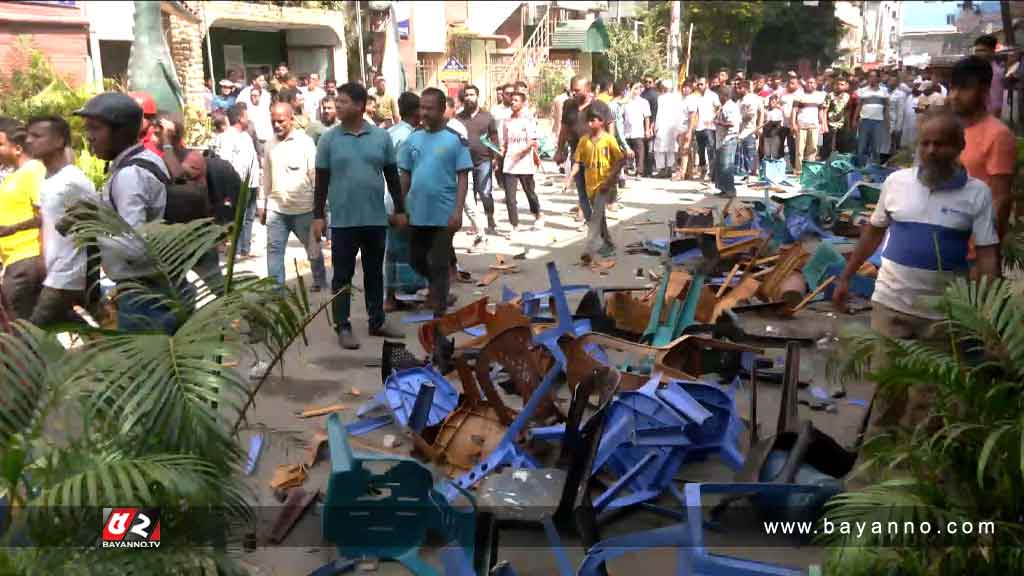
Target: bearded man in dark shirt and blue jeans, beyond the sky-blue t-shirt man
[480, 124]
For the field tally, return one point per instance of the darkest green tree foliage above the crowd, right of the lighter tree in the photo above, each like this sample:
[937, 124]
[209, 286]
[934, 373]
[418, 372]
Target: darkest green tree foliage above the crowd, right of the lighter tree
[793, 31]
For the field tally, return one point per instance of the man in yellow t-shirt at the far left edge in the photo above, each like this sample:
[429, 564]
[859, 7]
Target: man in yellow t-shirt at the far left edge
[20, 241]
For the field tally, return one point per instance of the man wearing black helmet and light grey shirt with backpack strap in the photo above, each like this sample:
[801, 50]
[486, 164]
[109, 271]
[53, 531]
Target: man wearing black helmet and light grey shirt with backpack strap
[137, 188]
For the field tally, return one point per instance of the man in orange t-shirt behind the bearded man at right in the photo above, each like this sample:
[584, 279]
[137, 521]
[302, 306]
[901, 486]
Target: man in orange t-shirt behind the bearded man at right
[991, 154]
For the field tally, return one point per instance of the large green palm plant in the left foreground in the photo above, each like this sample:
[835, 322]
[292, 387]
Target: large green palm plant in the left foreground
[139, 420]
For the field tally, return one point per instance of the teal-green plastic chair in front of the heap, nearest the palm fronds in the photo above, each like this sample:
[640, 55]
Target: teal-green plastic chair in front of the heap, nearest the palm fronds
[387, 514]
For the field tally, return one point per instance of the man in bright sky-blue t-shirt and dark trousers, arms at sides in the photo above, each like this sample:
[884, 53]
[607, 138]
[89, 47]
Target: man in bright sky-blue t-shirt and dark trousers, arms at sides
[435, 164]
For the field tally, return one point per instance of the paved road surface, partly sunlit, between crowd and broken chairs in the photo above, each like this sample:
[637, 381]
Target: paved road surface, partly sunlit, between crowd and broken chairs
[322, 374]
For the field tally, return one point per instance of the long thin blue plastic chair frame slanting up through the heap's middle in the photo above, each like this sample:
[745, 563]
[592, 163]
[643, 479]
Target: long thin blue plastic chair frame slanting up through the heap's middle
[507, 454]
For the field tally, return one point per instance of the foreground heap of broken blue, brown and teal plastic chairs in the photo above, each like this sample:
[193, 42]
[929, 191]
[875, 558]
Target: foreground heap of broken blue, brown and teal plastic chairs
[637, 414]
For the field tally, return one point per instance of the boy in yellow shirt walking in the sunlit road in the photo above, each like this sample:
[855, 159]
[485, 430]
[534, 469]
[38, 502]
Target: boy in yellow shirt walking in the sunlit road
[601, 159]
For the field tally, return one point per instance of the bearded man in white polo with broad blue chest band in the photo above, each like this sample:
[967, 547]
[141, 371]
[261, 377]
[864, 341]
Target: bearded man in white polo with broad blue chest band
[929, 214]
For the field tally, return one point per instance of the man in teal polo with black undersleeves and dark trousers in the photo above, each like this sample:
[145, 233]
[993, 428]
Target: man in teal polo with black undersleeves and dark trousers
[354, 161]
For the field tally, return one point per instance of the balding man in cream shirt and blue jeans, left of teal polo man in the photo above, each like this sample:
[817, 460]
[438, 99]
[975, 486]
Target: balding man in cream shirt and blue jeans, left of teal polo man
[286, 203]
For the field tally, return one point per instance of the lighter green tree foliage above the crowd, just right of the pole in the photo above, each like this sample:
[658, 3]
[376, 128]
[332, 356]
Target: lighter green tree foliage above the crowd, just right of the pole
[722, 31]
